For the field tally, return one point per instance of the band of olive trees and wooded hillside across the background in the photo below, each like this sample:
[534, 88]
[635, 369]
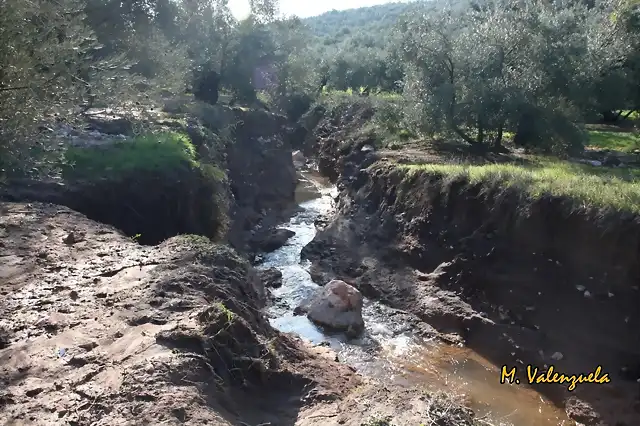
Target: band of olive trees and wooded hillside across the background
[494, 66]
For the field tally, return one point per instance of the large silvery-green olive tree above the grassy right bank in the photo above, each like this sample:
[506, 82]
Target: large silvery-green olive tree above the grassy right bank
[526, 67]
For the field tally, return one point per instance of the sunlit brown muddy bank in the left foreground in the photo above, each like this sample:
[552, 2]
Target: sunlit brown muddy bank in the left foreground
[100, 330]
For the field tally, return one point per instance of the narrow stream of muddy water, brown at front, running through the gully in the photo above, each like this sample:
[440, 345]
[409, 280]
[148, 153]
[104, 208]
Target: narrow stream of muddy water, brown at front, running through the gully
[388, 351]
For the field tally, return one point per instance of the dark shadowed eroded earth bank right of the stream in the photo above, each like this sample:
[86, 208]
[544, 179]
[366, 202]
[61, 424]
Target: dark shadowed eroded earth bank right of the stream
[520, 283]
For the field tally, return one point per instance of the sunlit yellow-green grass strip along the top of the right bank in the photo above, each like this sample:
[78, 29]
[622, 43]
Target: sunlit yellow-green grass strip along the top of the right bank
[588, 186]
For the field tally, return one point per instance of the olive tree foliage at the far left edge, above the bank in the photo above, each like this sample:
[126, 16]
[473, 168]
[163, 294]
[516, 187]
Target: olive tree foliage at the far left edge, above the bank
[47, 71]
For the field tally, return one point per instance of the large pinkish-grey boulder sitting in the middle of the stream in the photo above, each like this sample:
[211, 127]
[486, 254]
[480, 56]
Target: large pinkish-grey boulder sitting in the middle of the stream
[338, 306]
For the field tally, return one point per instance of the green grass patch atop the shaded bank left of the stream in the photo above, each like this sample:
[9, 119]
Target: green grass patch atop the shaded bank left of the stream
[149, 152]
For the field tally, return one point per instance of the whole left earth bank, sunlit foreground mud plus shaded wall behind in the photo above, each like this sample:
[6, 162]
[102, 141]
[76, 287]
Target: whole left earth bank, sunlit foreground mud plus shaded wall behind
[98, 329]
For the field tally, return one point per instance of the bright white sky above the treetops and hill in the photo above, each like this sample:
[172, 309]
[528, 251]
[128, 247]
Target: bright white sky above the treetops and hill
[305, 8]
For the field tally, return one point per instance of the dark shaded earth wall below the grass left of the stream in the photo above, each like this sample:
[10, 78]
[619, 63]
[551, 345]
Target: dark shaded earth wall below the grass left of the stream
[245, 177]
